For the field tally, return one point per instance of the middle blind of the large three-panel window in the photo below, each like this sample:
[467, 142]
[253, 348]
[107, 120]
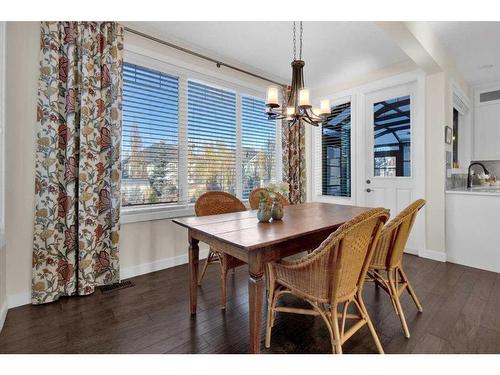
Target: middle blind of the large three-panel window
[211, 140]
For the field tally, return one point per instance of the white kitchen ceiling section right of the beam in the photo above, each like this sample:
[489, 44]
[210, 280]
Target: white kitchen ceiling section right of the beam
[474, 46]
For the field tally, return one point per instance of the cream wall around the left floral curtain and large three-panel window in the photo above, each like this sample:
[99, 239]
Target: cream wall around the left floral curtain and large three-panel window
[144, 246]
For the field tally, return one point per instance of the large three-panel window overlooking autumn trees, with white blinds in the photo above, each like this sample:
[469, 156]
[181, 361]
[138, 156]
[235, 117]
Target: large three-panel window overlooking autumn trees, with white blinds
[183, 137]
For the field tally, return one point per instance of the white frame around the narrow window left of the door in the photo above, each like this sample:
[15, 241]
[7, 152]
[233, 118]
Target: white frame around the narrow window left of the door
[317, 162]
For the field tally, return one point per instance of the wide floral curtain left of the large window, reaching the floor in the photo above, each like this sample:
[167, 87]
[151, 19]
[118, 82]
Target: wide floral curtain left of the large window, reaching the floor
[77, 183]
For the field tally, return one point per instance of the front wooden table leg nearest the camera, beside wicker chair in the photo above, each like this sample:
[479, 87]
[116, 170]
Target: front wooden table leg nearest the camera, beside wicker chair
[255, 296]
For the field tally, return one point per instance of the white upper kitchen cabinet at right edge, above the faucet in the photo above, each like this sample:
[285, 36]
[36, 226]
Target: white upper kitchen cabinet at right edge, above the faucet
[487, 124]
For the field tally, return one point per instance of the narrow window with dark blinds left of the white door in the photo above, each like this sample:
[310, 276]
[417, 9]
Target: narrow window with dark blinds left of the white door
[336, 152]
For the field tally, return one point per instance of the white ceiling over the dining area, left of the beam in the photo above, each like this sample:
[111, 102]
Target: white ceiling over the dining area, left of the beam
[334, 52]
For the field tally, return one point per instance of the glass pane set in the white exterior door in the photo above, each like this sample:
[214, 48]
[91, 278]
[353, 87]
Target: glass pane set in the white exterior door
[392, 137]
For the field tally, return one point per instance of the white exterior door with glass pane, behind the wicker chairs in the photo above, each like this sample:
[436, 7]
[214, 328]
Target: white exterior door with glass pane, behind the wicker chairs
[389, 179]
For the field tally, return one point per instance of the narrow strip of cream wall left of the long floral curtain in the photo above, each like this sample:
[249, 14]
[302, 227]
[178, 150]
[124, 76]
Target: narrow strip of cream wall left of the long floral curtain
[22, 73]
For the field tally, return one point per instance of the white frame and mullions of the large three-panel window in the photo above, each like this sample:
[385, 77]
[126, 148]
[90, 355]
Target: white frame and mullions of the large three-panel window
[147, 212]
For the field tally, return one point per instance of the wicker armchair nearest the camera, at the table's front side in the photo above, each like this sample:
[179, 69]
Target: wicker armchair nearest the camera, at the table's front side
[331, 276]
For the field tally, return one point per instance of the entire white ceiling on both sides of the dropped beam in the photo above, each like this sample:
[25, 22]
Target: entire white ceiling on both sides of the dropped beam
[334, 52]
